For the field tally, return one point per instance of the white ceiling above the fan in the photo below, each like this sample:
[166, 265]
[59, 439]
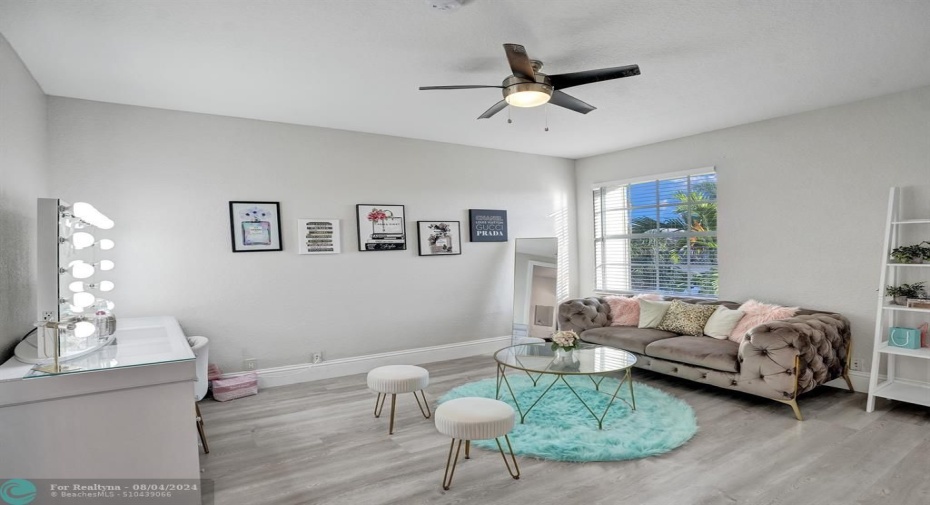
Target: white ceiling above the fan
[356, 64]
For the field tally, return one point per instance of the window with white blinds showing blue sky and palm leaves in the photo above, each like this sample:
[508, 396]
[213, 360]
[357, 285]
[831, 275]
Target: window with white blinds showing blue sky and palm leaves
[657, 236]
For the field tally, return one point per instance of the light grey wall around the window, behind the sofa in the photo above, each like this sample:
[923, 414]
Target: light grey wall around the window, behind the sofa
[803, 200]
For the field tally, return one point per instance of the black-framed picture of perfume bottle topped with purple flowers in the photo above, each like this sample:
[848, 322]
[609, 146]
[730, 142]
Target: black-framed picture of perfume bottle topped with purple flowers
[255, 226]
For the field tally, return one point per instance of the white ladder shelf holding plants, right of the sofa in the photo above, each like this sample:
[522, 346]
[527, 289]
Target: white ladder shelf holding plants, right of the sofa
[908, 223]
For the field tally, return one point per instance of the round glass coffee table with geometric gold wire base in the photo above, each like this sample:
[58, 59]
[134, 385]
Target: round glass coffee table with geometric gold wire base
[538, 360]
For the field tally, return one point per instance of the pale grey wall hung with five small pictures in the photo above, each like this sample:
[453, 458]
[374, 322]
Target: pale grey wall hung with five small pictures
[166, 178]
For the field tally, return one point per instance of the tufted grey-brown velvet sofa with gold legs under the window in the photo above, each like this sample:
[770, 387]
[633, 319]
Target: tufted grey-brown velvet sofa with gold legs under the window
[778, 360]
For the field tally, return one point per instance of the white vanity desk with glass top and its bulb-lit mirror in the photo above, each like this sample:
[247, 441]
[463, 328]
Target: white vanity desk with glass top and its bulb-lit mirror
[81, 399]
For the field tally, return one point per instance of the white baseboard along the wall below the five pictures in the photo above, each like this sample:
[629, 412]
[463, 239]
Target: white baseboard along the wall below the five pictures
[306, 372]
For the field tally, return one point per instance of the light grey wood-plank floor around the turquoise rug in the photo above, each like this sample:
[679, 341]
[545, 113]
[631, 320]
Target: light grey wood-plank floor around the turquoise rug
[319, 443]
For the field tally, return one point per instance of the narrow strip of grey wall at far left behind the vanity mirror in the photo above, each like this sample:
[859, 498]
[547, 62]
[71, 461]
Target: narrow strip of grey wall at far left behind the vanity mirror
[23, 178]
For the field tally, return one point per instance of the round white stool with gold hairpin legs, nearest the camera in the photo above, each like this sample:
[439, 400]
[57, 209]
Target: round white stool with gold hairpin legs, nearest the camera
[475, 419]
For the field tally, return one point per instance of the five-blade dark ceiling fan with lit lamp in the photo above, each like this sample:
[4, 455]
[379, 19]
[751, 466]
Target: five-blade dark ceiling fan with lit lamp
[528, 87]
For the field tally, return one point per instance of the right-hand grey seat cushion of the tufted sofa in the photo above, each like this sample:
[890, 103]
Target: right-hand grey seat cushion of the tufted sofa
[701, 351]
